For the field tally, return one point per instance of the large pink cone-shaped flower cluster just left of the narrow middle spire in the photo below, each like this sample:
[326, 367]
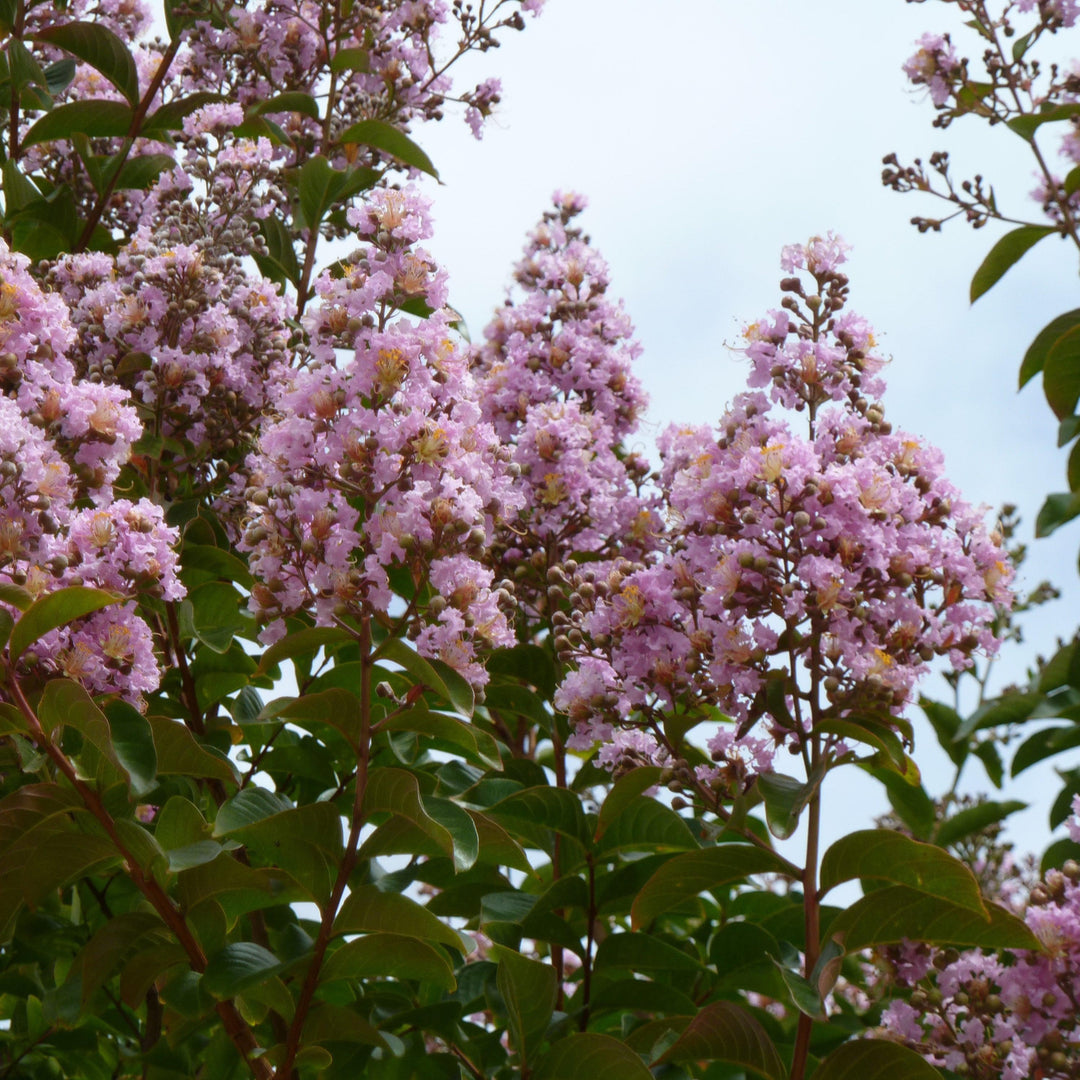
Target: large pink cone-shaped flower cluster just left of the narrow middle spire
[380, 461]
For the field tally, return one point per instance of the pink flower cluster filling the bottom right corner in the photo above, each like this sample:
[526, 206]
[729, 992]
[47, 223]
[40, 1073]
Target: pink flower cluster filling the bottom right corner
[1011, 1016]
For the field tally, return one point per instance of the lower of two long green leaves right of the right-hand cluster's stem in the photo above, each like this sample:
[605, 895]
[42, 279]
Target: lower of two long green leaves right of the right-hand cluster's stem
[889, 915]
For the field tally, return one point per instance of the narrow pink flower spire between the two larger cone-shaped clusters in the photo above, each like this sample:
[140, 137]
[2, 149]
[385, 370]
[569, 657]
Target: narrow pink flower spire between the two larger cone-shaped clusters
[558, 385]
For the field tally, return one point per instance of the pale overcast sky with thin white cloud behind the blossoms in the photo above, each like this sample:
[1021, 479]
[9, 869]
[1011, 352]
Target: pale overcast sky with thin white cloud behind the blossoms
[710, 133]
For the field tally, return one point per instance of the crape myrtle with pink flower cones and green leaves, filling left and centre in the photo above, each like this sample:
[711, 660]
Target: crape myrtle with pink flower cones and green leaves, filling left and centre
[344, 659]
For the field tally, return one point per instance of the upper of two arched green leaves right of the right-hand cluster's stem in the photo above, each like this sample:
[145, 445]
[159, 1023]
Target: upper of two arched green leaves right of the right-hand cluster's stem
[886, 856]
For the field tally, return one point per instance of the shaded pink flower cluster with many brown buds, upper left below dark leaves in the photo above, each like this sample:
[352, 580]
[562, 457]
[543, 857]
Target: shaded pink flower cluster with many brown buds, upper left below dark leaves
[175, 318]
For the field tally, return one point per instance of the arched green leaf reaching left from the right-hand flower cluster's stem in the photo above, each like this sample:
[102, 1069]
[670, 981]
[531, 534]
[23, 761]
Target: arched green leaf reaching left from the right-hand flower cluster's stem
[686, 876]
